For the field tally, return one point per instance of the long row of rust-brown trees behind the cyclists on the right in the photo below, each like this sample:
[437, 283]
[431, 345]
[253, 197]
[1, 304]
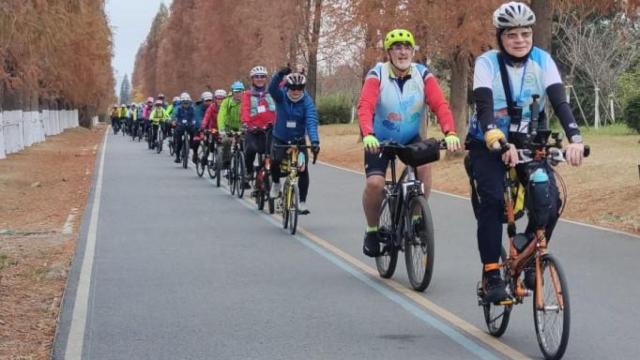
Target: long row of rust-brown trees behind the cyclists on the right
[201, 44]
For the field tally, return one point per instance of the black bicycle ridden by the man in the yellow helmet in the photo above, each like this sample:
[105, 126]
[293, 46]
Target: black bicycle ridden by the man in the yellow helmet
[405, 222]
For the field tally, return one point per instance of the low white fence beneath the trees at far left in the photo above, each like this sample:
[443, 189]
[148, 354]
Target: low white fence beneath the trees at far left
[20, 129]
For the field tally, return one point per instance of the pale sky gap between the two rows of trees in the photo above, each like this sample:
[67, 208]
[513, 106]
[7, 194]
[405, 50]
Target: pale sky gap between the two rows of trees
[130, 22]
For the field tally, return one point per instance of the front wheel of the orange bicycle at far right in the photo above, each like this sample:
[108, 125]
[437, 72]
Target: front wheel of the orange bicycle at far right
[553, 320]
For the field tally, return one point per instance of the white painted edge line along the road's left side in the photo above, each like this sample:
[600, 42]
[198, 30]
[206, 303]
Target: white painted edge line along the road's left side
[75, 341]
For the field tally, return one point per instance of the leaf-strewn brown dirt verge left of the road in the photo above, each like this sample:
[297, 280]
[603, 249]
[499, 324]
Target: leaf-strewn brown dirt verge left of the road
[39, 187]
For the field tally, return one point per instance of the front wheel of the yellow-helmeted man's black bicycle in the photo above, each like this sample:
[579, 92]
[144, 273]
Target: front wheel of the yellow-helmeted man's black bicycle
[419, 243]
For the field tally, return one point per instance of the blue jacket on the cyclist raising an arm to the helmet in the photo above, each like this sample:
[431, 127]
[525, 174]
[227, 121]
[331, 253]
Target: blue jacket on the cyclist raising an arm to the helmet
[302, 114]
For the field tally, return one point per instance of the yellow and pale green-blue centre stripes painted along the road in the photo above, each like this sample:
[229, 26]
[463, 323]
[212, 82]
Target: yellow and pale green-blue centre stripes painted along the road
[411, 301]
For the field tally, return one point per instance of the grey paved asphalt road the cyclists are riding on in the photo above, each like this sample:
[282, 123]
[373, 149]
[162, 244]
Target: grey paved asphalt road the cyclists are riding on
[182, 270]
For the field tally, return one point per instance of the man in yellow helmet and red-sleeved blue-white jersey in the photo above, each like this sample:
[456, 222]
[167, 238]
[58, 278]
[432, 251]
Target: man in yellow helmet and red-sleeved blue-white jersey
[392, 104]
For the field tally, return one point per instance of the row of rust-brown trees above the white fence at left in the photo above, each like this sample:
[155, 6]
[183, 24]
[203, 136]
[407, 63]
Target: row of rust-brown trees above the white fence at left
[55, 53]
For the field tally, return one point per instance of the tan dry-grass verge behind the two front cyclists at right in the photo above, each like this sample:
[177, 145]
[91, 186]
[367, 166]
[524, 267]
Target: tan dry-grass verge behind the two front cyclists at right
[605, 191]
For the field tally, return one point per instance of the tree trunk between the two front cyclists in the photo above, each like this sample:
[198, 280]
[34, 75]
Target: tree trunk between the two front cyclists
[459, 91]
